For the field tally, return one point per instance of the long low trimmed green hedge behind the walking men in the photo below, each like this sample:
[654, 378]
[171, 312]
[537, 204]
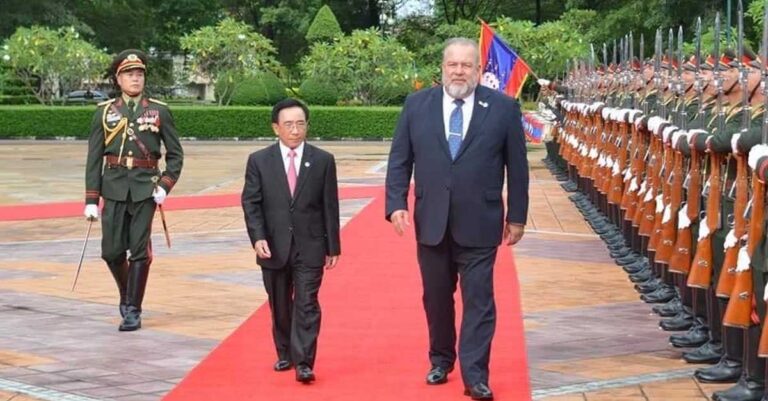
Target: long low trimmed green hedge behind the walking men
[205, 122]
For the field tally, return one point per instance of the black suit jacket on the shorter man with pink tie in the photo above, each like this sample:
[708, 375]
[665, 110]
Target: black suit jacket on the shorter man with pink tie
[309, 219]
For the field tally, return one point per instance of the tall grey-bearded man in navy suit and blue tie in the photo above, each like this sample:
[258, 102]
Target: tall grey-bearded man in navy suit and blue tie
[459, 139]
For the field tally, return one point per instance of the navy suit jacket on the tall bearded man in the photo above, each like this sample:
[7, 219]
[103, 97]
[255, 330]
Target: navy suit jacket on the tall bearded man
[464, 194]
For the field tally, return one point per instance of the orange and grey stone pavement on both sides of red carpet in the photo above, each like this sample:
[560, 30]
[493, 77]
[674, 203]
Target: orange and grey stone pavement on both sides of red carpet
[588, 335]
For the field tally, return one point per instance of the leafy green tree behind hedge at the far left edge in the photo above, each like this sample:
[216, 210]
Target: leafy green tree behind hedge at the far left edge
[50, 62]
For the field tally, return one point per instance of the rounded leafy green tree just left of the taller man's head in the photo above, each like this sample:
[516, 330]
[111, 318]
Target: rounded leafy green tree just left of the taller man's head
[368, 68]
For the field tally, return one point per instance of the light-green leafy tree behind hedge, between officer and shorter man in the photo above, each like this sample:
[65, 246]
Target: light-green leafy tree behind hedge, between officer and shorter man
[228, 51]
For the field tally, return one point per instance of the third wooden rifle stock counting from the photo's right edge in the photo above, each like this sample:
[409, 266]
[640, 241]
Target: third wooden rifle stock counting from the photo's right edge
[727, 278]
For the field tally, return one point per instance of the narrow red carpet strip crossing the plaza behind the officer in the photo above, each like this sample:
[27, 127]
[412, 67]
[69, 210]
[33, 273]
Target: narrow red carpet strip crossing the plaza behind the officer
[71, 209]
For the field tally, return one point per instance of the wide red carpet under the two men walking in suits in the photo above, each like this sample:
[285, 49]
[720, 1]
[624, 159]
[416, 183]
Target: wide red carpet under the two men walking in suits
[373, 340]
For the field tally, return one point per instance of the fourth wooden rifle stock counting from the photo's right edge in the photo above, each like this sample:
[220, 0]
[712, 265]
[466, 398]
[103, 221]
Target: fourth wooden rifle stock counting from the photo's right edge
[700, 274]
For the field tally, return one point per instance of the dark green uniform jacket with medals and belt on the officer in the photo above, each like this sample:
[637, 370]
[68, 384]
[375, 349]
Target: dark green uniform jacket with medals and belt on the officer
[153, 124]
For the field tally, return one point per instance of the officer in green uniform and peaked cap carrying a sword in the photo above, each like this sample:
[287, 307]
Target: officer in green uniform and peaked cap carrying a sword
[124, 150]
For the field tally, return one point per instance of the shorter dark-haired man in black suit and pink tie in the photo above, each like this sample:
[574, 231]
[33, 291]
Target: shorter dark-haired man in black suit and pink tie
[291, 206]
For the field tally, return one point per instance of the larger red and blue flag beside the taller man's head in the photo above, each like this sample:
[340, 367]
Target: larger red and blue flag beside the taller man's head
[502, 68]
